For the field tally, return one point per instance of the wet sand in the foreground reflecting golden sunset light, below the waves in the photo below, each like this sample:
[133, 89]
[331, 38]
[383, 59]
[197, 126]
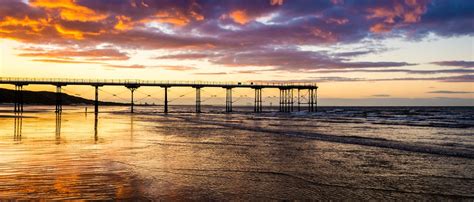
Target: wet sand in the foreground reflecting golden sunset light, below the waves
[154, 156]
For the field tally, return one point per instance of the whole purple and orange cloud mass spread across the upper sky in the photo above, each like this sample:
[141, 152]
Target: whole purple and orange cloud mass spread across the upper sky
[234, 33]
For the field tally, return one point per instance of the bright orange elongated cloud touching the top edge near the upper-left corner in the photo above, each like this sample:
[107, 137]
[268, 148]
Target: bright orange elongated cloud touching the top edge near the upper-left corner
[69, 10]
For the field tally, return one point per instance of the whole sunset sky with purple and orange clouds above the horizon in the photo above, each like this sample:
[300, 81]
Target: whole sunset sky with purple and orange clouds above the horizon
[359, 52]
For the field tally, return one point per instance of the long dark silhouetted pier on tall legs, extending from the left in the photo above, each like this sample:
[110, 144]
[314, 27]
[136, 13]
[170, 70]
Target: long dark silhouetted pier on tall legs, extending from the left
[286, 103]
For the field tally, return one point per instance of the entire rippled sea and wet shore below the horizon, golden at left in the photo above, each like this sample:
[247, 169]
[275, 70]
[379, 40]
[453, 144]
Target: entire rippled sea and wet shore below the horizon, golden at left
[336, 153]
